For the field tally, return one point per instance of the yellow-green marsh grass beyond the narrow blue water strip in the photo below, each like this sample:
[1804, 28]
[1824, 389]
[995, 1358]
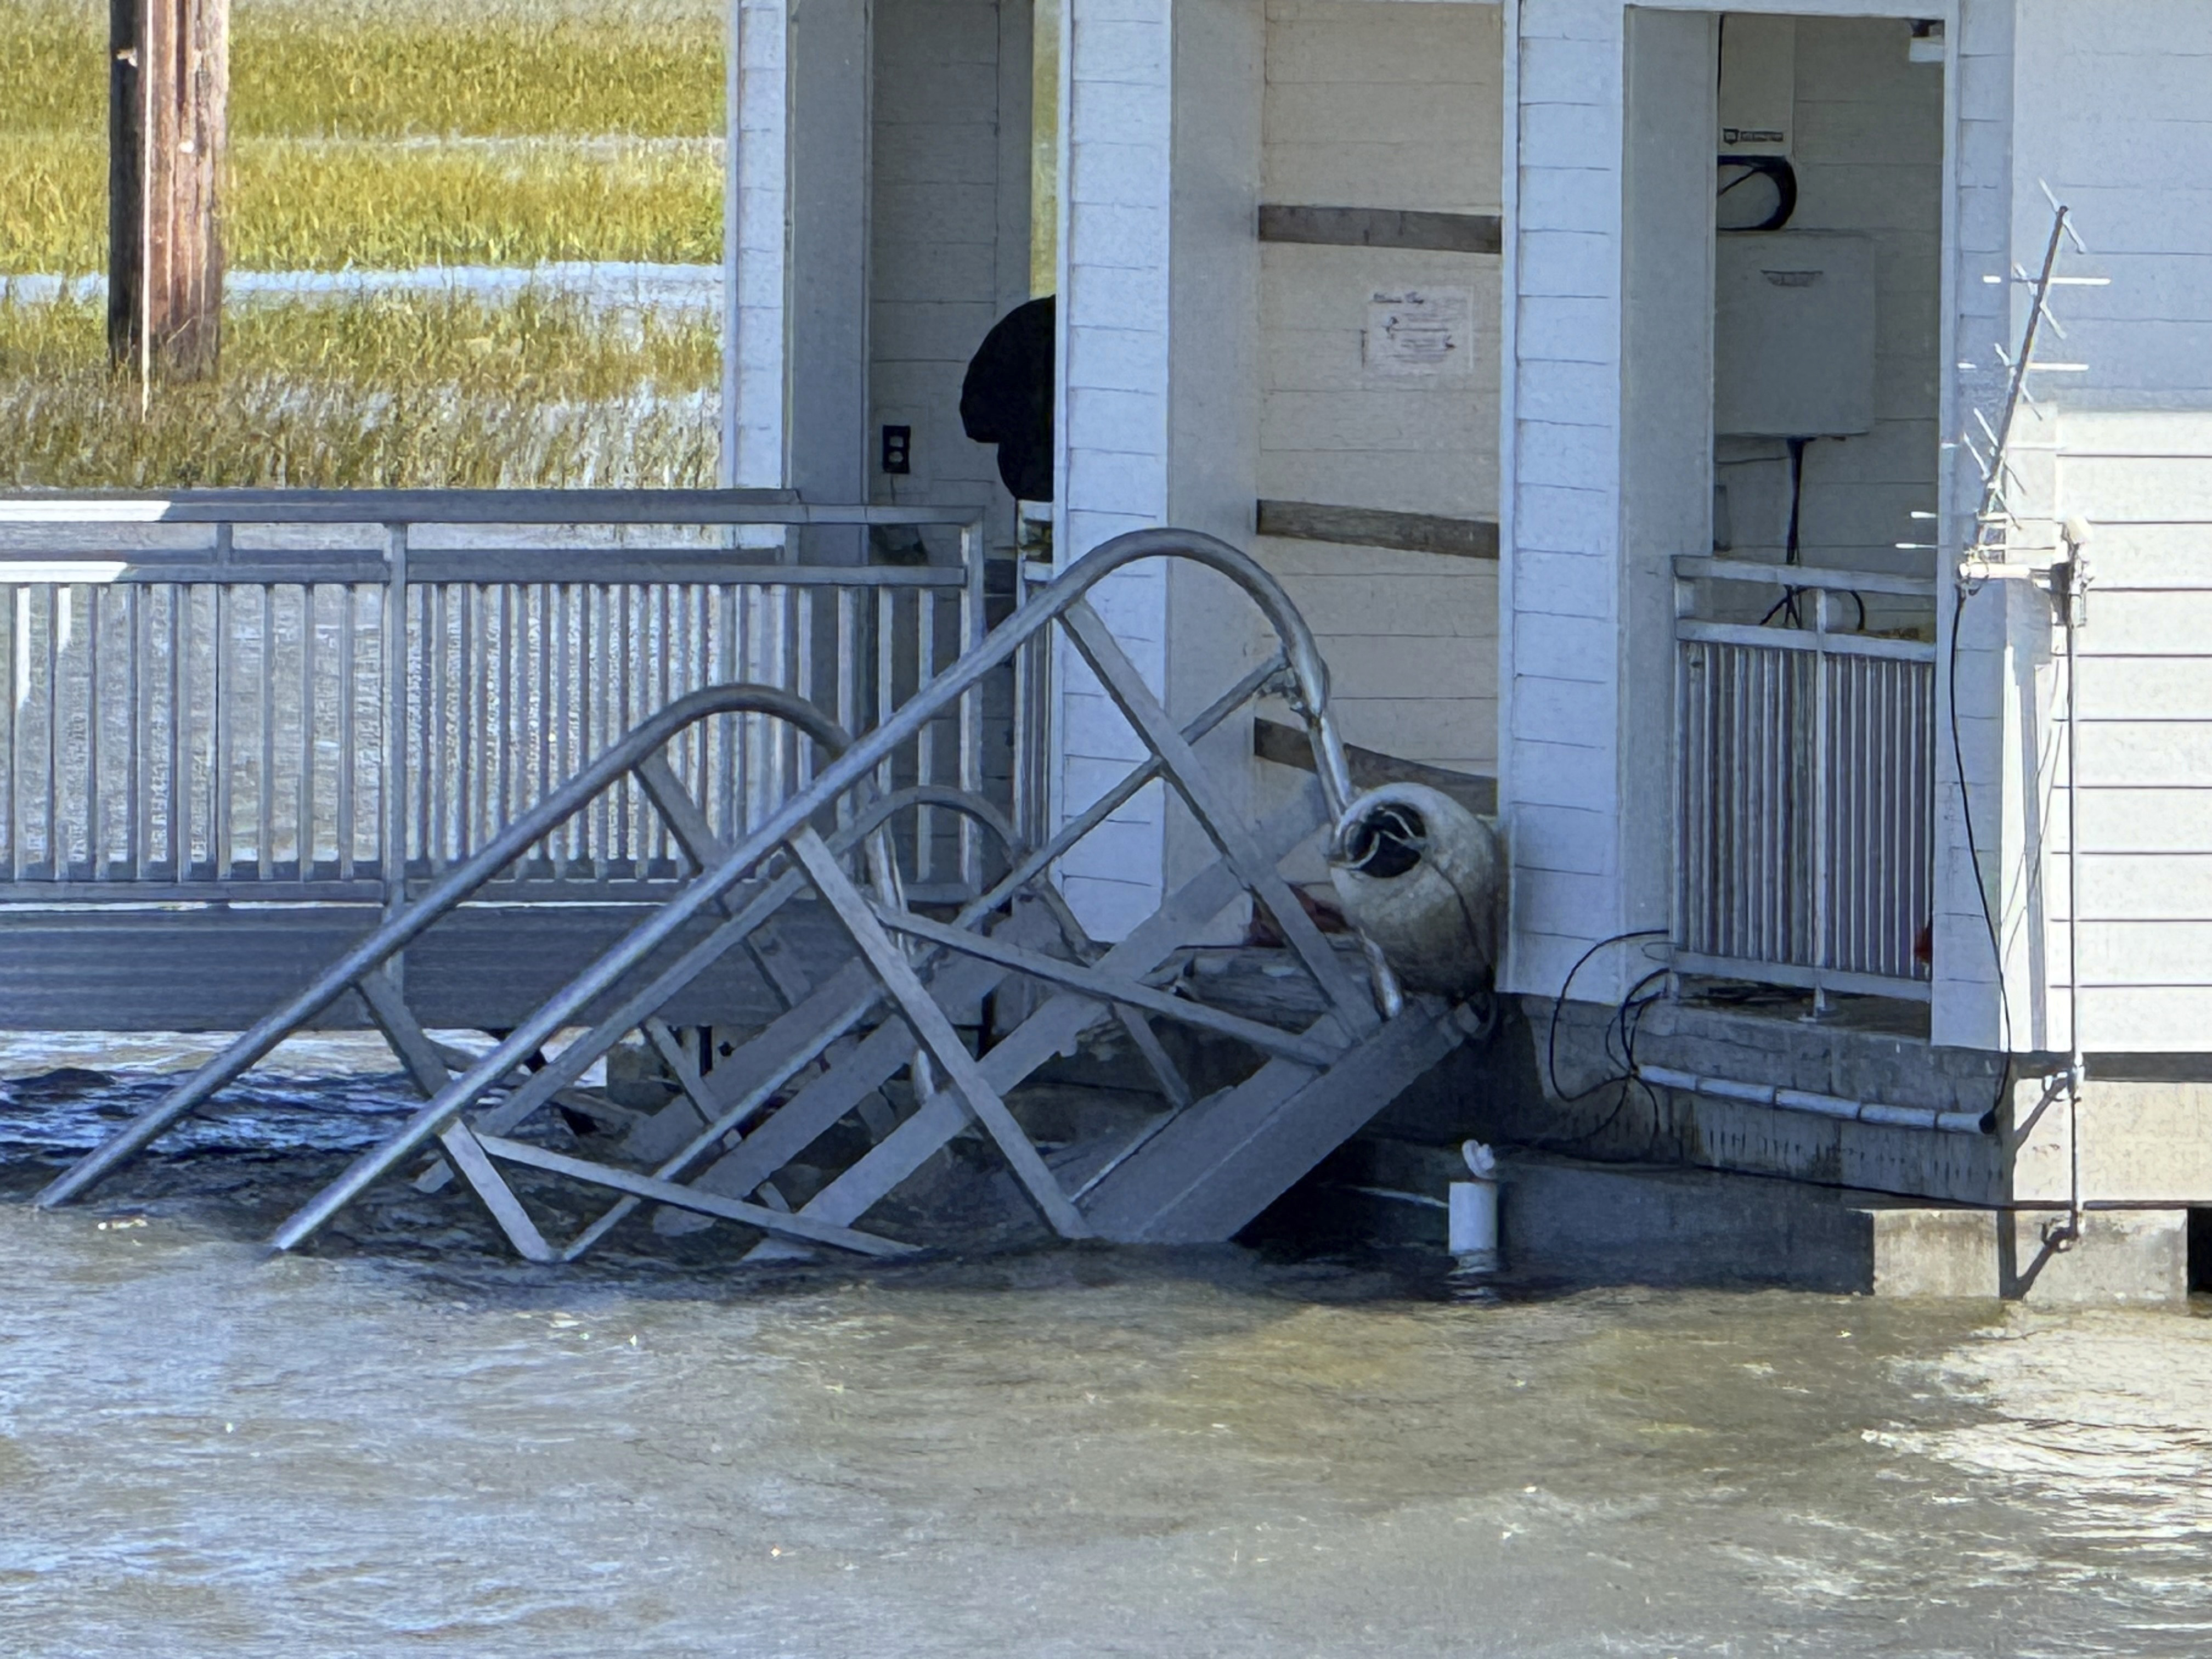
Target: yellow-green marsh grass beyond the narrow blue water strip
[397, 134]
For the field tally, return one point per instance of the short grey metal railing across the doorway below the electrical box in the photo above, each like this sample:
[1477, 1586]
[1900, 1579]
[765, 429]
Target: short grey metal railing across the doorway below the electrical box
[1804, 786]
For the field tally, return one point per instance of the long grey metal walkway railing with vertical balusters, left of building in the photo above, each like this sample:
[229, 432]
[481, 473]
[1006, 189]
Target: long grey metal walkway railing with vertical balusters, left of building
[333, 698]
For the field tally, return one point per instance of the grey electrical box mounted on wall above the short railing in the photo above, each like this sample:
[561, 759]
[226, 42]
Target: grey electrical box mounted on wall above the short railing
[1793, 353]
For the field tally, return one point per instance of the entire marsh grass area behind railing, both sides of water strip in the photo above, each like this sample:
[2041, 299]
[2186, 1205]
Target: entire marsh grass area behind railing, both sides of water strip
[386, 134]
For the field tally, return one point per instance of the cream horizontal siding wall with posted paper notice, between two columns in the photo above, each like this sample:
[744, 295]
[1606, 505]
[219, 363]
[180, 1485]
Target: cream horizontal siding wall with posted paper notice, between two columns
[1390, 107]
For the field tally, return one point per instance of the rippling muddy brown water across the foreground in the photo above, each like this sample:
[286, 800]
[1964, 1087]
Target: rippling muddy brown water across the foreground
[1063, 1452]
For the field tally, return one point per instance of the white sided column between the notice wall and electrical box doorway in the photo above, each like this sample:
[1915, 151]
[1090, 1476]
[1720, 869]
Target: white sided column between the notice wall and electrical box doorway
[1561, 508]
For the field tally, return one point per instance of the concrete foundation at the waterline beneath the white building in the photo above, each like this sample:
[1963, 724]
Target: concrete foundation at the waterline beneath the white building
[1669, 1187]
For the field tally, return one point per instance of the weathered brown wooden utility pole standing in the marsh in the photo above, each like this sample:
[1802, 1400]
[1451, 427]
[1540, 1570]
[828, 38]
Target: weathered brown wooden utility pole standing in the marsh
[169, 94]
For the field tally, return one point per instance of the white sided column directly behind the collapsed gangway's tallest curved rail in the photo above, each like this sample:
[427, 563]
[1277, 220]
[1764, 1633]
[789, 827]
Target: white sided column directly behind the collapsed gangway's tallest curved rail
[1160, 401]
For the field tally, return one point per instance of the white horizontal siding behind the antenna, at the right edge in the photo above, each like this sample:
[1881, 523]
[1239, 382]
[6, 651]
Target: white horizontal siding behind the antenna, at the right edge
[2116, 116]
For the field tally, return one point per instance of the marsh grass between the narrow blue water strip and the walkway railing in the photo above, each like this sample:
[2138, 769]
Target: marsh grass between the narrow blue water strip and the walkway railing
[371, 393]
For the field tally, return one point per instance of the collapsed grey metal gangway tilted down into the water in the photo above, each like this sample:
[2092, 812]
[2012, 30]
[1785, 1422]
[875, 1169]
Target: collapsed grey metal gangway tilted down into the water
[1198, 1169]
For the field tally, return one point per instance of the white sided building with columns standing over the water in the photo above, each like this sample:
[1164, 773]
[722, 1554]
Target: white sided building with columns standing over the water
[1525, 368]
